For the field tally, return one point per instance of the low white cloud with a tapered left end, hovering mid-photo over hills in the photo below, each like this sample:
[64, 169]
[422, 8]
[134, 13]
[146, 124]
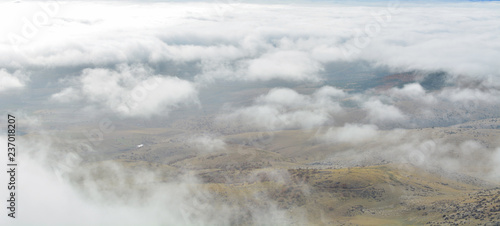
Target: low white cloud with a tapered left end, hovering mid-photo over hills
[284, 108]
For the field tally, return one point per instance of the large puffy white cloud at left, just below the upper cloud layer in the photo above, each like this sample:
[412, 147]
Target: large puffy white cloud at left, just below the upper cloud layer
[130, 91]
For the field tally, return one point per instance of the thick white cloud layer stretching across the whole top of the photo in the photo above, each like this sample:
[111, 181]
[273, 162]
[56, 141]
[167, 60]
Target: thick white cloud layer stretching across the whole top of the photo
[292, 46]
